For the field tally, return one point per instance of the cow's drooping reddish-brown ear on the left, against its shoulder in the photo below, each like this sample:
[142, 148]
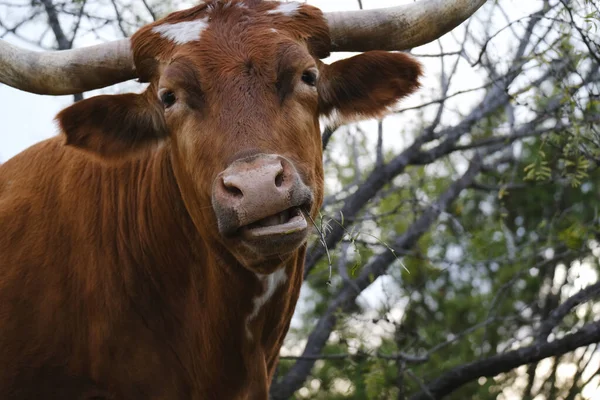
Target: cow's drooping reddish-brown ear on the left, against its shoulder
[113, 126]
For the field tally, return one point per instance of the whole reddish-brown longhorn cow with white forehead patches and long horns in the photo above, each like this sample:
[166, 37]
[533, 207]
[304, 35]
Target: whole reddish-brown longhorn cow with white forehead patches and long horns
[154, 249]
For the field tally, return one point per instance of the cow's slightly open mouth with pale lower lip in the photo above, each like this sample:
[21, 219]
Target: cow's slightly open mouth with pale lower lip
[286, 222]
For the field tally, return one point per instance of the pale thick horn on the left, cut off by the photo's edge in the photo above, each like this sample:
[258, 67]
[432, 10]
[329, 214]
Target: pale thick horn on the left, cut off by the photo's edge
[67, 71]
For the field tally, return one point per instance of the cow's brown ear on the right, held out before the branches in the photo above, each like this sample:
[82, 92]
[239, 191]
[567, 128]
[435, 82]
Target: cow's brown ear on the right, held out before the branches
[366, 85]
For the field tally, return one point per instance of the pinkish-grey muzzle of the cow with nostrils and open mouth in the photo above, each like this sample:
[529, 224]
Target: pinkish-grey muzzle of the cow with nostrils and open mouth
[262, 200]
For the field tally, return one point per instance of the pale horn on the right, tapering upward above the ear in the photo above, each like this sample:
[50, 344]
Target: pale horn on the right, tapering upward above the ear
[397, 28]
